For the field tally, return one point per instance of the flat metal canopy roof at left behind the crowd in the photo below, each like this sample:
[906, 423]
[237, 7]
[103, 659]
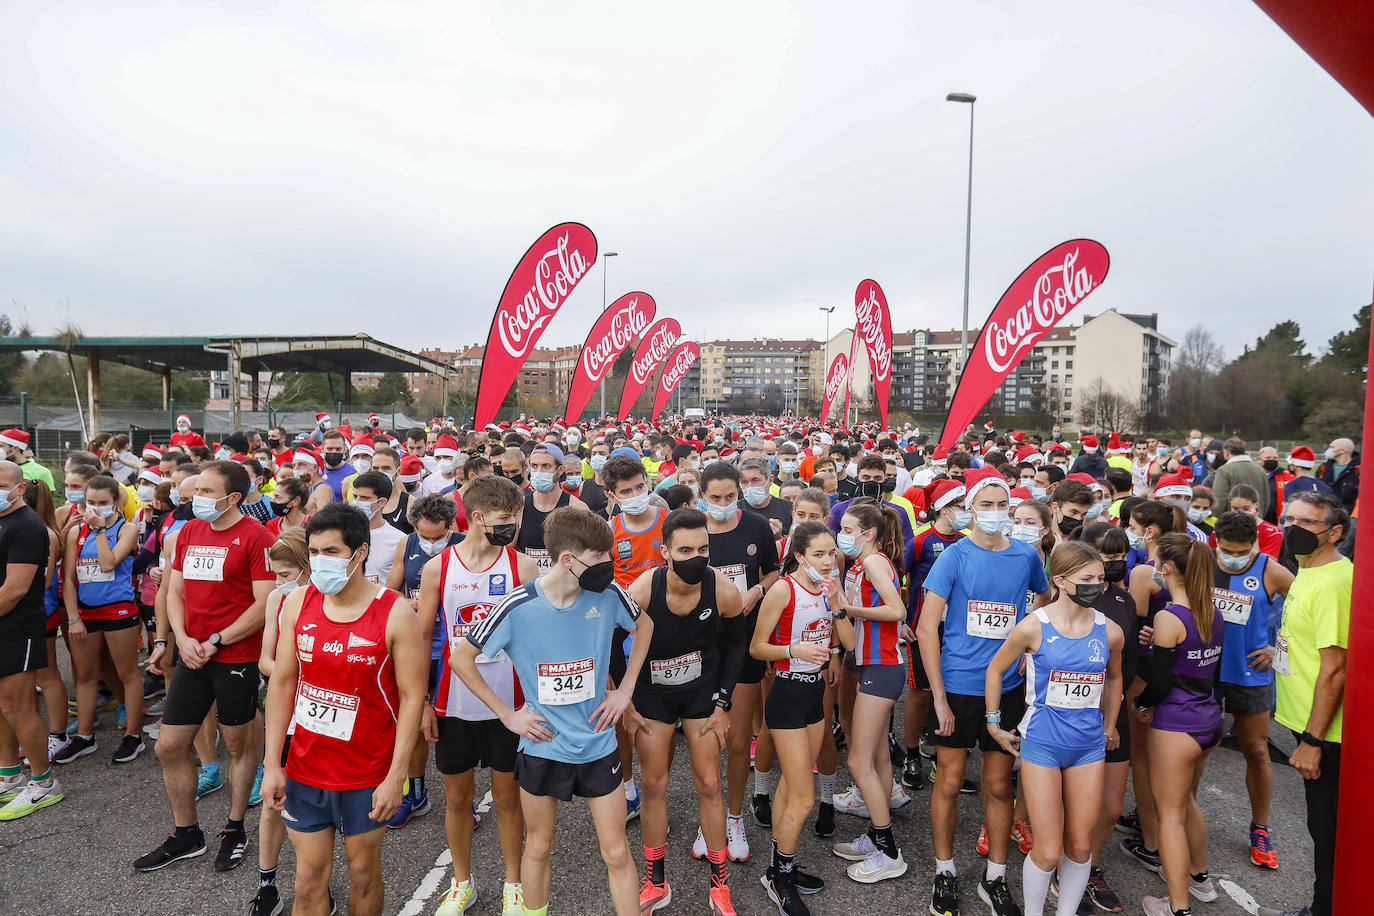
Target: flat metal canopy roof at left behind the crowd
[358, 354]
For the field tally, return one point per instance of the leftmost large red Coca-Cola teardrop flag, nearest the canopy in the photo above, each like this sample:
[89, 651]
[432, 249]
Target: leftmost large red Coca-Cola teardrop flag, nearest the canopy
[538, 289]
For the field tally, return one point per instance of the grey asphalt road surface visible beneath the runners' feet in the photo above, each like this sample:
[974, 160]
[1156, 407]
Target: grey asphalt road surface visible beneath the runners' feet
[76, 858]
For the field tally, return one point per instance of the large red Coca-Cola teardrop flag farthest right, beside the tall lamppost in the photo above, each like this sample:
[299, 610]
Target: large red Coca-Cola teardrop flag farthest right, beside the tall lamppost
[1035, 303]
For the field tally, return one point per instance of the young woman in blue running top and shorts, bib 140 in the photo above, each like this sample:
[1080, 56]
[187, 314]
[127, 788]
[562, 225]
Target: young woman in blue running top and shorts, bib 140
[1074, 693]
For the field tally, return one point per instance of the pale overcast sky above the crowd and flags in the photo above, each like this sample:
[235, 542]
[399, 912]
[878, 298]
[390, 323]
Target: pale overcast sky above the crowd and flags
[291, 168]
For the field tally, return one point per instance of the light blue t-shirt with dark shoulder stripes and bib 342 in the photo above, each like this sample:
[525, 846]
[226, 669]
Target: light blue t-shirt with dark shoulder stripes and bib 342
[563, 660]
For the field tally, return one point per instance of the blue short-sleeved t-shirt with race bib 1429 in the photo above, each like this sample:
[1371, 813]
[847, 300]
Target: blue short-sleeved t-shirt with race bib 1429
[986, 597]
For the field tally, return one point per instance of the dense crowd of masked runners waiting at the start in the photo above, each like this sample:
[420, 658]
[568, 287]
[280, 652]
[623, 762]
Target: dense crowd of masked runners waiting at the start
[571, 606]
